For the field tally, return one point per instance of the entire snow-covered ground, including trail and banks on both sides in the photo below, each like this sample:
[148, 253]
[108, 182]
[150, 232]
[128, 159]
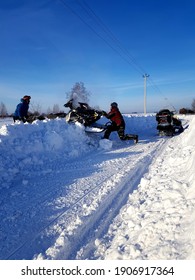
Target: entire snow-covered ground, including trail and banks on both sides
[66, 194]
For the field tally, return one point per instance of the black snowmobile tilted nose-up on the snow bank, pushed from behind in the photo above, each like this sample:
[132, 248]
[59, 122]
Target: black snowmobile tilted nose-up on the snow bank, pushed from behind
[83, 114]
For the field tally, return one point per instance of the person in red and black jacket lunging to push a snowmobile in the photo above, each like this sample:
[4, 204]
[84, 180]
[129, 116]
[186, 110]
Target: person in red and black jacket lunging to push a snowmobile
[117, 124]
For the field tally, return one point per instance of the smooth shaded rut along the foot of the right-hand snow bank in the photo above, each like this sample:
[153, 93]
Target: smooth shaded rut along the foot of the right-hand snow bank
[99, 222]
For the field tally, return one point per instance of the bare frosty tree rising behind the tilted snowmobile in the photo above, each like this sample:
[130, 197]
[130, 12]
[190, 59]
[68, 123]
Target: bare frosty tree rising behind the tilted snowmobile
[79, 93]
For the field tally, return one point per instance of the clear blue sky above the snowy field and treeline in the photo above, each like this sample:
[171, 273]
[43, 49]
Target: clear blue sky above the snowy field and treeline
[46, 46]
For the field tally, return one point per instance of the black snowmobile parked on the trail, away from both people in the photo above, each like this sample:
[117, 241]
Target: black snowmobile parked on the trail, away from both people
[168, 125]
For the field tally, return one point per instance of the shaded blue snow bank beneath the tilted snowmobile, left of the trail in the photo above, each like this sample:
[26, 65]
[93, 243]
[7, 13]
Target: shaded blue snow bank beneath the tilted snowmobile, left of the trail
[29, 146]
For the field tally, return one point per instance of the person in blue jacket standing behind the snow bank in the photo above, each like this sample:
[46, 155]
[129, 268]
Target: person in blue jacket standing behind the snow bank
[21, 112]
